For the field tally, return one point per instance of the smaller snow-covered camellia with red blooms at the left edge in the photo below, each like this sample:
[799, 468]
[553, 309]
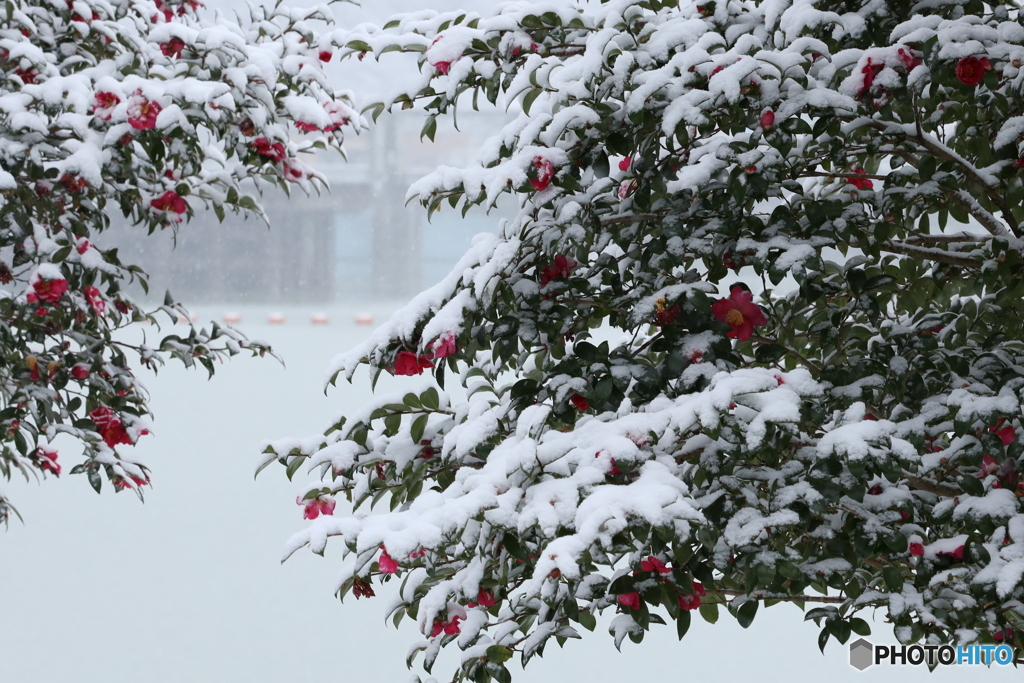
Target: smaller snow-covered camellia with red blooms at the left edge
[151, 110]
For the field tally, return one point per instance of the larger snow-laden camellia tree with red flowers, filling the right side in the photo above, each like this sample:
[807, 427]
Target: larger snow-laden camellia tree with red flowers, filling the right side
[756, 336]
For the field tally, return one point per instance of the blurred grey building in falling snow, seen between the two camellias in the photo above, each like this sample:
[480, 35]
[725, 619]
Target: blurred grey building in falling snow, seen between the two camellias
[360, 240]
